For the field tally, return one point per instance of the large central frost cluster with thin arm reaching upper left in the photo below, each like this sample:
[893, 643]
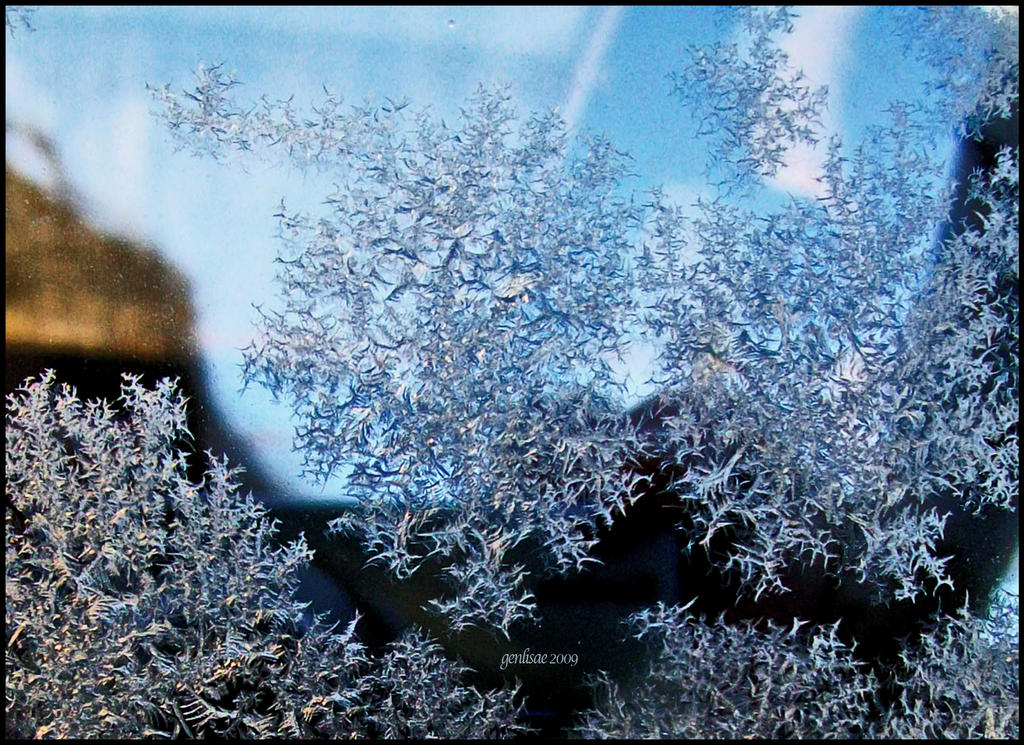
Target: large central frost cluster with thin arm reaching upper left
[447, 327]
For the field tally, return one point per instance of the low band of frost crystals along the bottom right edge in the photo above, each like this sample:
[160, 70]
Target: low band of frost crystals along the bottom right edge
[710, 680]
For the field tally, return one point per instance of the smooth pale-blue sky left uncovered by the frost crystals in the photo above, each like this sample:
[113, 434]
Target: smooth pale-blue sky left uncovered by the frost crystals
[81, 79]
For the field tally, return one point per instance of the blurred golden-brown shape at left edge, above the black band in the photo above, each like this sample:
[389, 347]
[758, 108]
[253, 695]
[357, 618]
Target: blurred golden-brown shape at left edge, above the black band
[73, 290]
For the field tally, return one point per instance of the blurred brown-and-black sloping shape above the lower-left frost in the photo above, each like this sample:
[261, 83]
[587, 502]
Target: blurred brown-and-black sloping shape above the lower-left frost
[94, 305]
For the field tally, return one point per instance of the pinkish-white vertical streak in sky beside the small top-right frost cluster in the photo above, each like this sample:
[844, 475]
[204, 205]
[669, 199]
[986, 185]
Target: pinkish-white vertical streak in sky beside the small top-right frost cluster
[820, 46]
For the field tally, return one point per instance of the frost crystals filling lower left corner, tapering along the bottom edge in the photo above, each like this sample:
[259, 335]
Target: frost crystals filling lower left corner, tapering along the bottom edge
[142, 605]
